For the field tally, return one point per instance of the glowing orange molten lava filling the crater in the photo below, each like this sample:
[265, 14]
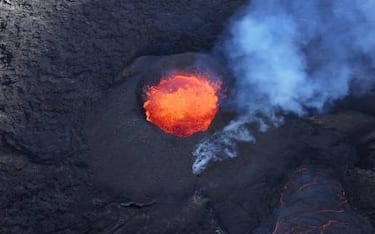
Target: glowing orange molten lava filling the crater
[182, 105]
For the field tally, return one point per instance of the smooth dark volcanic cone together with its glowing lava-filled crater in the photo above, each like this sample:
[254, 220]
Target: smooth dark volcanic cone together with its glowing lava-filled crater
[133, 146]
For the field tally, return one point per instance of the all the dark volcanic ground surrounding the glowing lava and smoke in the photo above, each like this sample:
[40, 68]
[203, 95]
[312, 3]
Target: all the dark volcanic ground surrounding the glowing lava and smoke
[77, 155]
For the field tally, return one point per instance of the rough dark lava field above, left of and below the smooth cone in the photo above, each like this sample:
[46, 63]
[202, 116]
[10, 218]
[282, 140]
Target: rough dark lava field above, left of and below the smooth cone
[56, 58]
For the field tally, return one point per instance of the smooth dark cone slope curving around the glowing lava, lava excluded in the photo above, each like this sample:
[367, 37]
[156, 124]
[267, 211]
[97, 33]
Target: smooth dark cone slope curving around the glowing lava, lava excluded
[132, 154]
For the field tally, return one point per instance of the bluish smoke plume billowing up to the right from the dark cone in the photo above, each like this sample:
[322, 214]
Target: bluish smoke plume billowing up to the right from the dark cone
[292, 56]
